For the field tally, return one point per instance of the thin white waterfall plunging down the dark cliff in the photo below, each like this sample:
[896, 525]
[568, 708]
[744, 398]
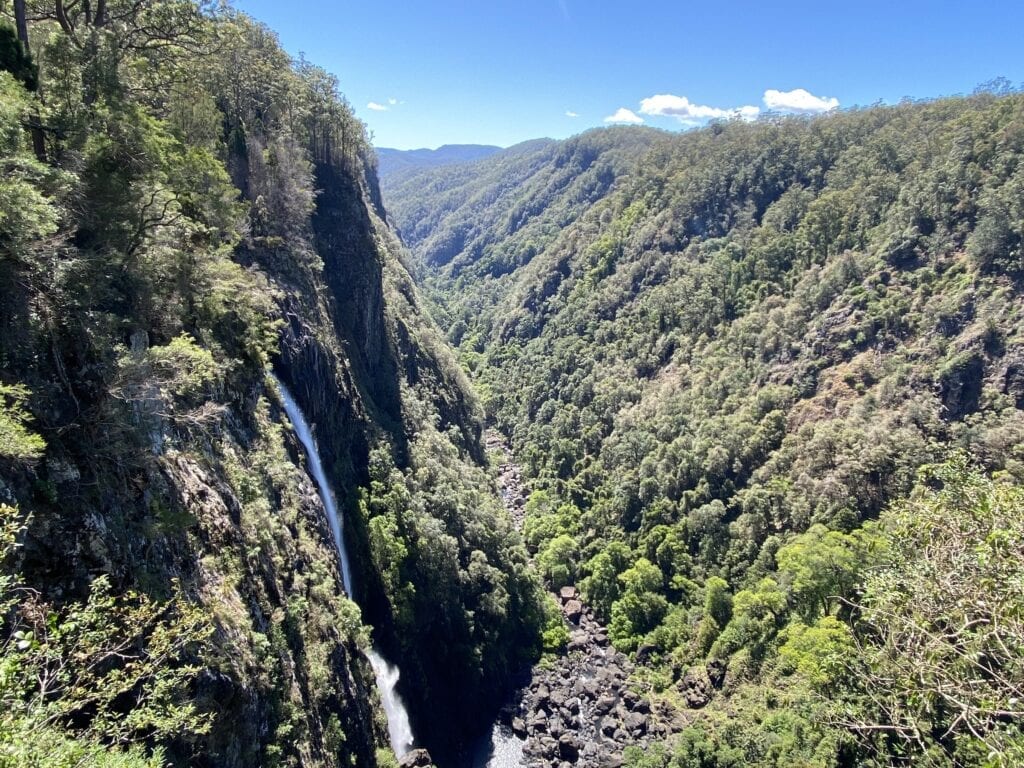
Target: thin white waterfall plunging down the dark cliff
[400, 731]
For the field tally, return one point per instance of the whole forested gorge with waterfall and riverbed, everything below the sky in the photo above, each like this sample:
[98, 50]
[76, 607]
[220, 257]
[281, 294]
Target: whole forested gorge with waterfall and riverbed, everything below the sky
[641, 448]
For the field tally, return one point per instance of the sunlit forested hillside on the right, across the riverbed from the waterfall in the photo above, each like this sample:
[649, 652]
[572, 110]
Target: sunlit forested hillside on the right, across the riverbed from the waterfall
[767, 381]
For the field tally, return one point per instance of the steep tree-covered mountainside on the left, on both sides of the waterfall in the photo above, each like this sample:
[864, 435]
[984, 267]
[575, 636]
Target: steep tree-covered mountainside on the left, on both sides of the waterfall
[183, 209]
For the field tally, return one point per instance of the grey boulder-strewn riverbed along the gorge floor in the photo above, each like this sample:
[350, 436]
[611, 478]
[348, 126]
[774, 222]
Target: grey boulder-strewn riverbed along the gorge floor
[579, 710]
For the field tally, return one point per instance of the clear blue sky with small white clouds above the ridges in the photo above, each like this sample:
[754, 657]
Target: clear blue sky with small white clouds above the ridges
[429, 73]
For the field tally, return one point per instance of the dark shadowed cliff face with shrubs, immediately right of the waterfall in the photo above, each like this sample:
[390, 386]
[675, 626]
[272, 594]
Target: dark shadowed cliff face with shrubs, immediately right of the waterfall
[401, 432]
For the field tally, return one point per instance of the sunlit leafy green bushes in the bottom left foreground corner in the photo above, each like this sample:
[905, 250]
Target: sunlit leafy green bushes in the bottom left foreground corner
[100, 657]
